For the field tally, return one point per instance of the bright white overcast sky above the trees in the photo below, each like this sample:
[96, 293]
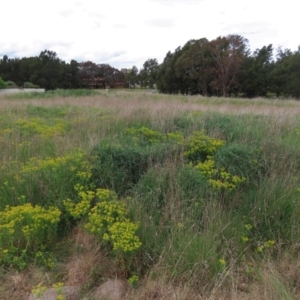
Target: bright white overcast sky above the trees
[124, 33]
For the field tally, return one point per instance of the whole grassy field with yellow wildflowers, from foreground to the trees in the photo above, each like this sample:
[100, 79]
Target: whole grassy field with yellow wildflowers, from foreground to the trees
[183, 197]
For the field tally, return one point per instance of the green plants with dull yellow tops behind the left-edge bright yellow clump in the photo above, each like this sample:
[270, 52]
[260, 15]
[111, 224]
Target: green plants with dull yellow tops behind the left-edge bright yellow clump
[42, 178]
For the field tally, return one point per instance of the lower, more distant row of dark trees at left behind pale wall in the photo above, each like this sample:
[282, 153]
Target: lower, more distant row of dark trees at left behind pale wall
[50, 72]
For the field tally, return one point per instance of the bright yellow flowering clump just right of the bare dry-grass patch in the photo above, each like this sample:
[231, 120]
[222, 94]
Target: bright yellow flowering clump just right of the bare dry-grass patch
[107, 217]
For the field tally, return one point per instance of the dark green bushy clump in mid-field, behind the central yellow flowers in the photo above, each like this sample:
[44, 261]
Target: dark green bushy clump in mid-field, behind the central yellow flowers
[119, 166]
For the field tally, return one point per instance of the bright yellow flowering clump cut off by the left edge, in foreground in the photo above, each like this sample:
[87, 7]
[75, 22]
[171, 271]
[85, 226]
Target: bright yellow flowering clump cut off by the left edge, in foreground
[25, 230]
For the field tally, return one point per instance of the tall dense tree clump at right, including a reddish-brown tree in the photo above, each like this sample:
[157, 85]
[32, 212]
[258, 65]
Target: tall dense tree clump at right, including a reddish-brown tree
[225, 66]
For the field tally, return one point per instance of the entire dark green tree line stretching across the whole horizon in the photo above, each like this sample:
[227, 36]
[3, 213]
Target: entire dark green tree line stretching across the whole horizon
[224, 66]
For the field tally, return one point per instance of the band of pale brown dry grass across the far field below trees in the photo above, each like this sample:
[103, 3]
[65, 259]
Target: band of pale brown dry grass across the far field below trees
[125, 103]
